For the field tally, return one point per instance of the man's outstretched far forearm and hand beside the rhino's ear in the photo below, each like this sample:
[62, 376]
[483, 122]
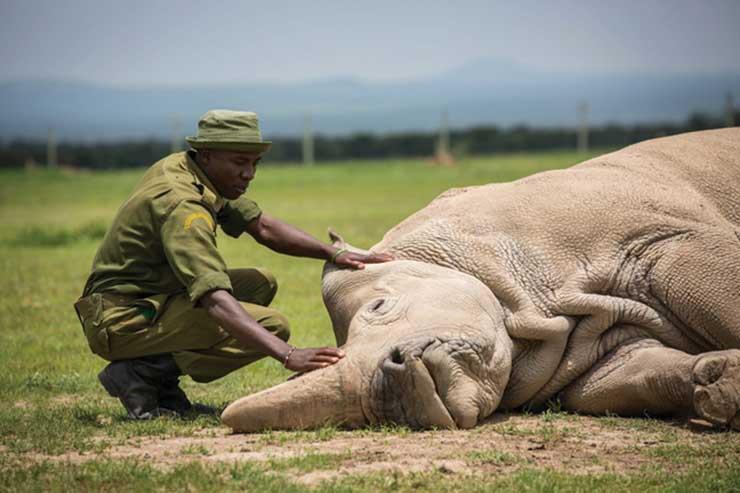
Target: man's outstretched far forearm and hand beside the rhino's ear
[284, 238]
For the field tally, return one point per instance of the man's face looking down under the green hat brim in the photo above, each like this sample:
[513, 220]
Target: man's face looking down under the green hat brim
[229, 171]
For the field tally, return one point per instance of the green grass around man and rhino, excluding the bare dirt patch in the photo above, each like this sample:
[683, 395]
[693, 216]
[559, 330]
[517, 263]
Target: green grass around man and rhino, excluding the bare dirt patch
[53, 405]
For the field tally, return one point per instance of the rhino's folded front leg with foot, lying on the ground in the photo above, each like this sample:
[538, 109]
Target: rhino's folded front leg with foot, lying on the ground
[646, 377]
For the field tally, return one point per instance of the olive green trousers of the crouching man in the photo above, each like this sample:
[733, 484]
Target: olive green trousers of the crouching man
[122, 327]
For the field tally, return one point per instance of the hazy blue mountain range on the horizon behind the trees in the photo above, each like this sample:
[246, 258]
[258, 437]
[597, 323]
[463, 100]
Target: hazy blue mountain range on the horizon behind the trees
[486, 91]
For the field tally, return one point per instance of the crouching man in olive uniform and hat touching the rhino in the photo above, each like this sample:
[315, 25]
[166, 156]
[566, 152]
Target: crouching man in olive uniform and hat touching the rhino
[160, 302]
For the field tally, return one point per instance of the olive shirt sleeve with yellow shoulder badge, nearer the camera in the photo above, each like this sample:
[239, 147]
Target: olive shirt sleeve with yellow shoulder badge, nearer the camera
[189, 243]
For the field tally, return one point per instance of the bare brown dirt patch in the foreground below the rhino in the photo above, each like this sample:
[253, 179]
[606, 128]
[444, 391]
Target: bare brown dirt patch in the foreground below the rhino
[574, 444]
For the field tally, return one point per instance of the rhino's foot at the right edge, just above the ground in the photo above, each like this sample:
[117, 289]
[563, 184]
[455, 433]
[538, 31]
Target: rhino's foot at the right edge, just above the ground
[717, 388]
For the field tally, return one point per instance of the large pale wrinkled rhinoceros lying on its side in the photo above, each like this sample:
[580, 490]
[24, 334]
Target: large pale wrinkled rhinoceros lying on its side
[613, 286]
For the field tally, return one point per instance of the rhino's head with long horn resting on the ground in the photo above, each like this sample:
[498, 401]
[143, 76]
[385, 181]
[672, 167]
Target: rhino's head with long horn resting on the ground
[425, 347]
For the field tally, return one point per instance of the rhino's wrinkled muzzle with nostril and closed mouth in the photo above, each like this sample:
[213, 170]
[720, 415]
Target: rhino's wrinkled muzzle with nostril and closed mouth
[426, 385]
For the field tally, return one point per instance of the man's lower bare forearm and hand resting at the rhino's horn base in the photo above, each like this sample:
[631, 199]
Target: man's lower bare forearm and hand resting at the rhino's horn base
[230, 315]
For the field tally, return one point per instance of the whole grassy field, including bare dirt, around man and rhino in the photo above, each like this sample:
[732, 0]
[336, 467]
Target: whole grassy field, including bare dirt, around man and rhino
[60, 431]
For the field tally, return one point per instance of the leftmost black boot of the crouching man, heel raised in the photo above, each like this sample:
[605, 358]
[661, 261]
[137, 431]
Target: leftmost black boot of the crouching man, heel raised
[138, 395]
